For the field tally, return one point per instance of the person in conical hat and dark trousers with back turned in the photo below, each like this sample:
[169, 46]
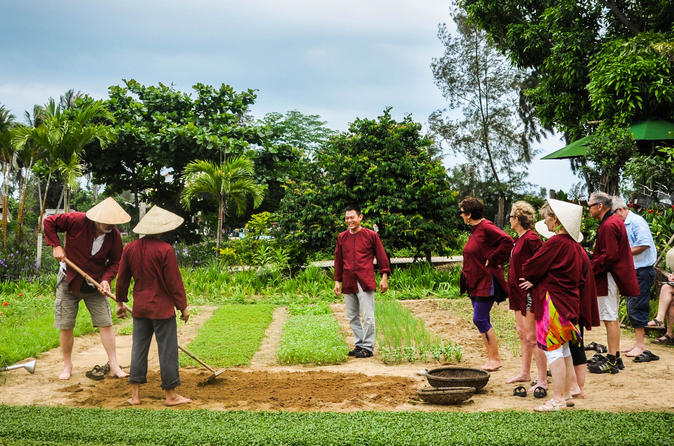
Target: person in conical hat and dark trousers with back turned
[157, 291]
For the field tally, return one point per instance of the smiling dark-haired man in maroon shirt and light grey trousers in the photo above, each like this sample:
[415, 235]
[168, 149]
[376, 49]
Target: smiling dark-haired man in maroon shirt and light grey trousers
[354, 276]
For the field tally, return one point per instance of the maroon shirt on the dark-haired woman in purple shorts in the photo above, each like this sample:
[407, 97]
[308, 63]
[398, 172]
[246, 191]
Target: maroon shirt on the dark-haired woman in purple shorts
[486, 242]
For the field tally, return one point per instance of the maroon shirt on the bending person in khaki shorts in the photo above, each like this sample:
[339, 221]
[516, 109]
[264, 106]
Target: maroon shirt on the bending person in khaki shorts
[80, 235]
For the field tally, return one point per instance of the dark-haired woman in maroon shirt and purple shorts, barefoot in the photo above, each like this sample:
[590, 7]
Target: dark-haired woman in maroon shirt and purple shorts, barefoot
[482, 276]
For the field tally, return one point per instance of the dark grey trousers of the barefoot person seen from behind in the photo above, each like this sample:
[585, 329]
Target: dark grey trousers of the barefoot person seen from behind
[166, 333]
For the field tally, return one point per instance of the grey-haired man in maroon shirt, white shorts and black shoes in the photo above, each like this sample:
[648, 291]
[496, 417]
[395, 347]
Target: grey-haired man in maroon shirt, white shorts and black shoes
[614, 274]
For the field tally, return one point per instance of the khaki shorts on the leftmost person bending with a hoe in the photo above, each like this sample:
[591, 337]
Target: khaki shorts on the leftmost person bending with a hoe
[67, 304]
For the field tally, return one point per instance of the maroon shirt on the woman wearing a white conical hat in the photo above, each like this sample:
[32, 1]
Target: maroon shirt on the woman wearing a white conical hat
[561, 268]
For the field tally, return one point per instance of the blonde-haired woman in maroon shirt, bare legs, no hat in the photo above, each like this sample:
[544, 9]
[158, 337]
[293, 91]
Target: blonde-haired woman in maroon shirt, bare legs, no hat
[522, 221]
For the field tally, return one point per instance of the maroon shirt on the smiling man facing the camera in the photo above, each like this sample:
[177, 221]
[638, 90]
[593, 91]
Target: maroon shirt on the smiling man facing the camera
[354, 254]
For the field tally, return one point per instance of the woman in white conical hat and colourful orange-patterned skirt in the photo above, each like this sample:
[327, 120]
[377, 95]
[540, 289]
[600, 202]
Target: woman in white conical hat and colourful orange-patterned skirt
[562, 285]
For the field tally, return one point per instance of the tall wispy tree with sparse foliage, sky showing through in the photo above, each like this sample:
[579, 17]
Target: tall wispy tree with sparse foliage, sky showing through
[479, 83]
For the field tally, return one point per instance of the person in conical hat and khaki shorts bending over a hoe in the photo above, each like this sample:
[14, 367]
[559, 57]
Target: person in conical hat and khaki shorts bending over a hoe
[95, 245]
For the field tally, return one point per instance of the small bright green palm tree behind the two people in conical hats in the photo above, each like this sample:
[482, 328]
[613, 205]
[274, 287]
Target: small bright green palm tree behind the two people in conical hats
[231, 183]
